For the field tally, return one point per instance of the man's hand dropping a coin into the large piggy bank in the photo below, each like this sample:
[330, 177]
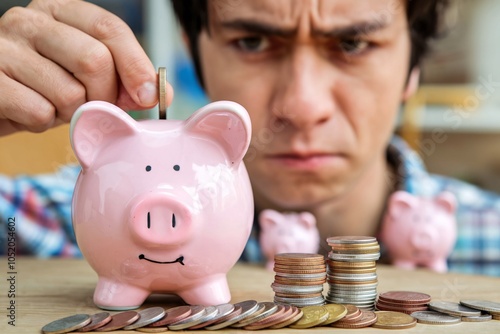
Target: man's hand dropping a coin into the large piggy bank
[56, 55]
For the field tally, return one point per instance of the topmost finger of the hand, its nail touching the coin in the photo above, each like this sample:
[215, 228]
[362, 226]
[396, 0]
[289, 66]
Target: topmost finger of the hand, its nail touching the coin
[134, 68]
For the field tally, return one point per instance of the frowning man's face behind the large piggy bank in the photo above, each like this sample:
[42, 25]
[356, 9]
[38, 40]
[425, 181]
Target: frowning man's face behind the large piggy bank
[322, 81]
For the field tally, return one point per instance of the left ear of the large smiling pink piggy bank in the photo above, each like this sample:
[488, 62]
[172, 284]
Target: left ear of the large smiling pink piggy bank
[94, 125]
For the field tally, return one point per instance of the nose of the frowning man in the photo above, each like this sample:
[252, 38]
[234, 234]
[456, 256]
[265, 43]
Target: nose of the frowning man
[304, 97]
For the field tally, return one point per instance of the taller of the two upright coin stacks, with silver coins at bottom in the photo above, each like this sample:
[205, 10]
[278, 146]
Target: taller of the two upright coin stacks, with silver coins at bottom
[351, 273]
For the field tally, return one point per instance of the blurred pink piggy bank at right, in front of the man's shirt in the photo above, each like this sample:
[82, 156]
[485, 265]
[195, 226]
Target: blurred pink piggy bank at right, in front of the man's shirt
[420, 231]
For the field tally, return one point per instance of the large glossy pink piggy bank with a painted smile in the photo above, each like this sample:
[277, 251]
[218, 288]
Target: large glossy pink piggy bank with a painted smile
[161, 206]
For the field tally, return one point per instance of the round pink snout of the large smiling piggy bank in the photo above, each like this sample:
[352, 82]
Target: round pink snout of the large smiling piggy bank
[158, 219]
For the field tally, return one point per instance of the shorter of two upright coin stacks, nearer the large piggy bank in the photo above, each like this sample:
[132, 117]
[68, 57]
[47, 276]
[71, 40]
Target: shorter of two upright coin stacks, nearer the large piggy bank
[299, 279]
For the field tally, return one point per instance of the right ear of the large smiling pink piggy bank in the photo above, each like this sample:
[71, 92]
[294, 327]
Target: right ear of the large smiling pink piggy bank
[227, 123]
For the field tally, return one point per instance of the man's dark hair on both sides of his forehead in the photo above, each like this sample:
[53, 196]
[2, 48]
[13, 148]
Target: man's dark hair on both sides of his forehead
[424, 18]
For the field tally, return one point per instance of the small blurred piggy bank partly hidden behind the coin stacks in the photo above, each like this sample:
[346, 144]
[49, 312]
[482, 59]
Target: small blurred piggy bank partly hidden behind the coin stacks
[287, 233]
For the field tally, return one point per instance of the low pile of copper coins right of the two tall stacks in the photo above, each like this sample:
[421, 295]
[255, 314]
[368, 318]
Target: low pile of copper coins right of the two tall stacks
[403, 301]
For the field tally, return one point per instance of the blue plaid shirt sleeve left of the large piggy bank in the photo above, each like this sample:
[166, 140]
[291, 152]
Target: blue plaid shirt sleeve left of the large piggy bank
[35, 212]
